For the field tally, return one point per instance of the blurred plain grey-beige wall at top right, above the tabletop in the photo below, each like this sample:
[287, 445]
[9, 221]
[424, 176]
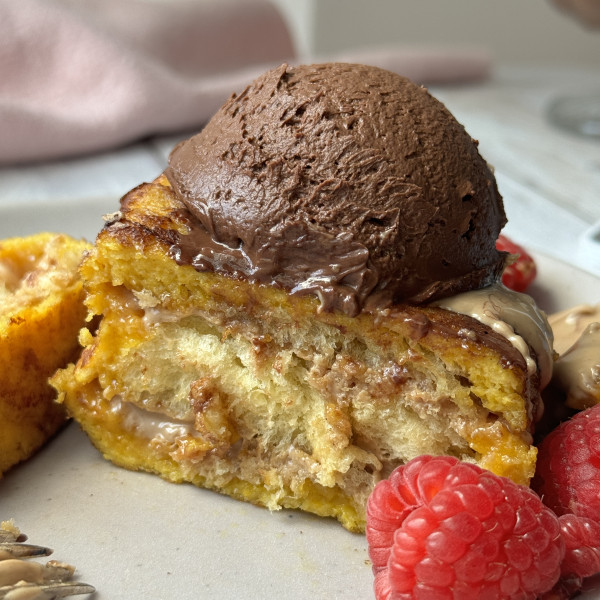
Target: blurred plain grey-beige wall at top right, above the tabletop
[513, 31]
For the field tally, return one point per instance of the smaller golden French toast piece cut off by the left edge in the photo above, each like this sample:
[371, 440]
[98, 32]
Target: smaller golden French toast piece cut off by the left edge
[41, 313]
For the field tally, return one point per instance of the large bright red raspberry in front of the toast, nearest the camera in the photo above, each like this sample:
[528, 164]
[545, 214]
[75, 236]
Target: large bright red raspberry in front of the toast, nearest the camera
[441, 529]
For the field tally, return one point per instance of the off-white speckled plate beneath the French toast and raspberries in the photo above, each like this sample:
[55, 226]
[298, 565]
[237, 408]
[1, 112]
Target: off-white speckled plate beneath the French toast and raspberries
[134, 536]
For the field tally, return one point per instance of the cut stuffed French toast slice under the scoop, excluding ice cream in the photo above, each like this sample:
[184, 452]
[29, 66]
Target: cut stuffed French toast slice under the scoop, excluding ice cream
[256, 393]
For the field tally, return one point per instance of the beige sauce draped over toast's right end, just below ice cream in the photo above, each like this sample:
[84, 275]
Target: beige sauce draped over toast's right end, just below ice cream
[514, 316]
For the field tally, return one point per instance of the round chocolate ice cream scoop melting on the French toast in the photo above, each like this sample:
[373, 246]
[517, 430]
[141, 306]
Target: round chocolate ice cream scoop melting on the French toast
[345, 181]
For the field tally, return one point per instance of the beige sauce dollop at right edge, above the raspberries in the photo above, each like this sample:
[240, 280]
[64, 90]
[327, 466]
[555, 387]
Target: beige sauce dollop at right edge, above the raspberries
[577, 340]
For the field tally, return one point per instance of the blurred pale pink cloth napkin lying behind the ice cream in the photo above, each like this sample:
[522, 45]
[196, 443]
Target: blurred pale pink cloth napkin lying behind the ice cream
[79, 76]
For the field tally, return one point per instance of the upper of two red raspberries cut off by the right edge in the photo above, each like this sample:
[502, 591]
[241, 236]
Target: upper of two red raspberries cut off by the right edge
[568, 466]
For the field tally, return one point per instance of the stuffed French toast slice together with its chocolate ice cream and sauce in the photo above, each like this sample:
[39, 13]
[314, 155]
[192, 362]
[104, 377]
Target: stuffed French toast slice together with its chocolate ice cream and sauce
[306, 298]
